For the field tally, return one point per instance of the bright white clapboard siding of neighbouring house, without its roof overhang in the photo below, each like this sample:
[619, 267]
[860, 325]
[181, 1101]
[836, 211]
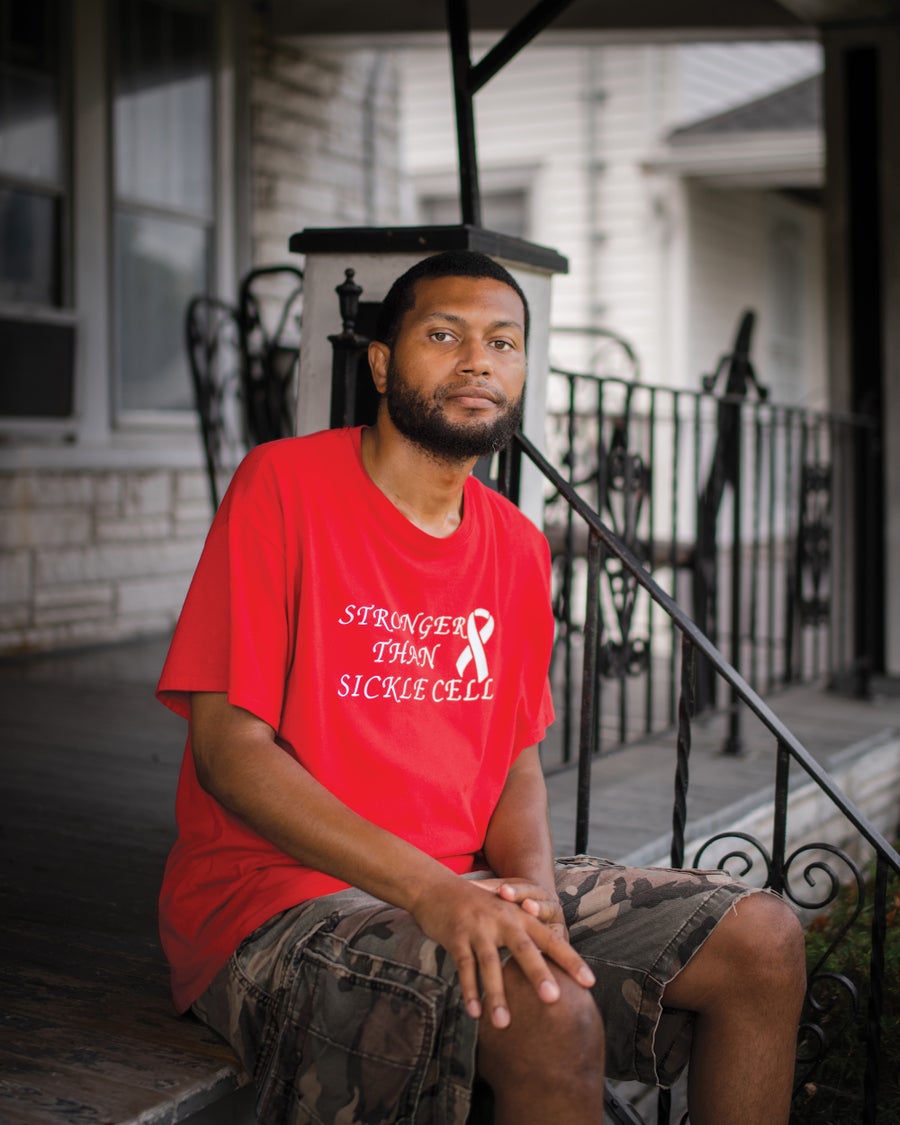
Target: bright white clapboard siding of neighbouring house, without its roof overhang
[580, 123]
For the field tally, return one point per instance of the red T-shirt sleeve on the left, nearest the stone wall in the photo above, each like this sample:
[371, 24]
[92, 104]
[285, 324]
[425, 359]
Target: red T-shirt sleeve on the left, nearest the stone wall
[233, 634]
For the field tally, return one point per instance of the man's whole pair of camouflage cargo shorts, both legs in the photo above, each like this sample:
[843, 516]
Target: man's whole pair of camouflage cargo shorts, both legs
[344, 1012]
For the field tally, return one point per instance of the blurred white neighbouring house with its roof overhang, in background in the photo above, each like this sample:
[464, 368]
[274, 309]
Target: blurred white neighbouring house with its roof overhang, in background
[682, 187]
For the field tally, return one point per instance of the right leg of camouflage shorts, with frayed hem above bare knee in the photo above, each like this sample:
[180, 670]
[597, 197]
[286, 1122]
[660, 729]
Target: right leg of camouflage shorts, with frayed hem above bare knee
[638, 928]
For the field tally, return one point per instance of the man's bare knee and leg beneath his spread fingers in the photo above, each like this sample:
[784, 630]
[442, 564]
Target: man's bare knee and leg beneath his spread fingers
[546, 1067]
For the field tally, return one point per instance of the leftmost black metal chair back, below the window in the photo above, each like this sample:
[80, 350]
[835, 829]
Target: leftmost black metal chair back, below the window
[212, 329]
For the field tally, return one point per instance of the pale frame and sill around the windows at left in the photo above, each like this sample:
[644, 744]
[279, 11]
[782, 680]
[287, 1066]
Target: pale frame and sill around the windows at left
[96, 436]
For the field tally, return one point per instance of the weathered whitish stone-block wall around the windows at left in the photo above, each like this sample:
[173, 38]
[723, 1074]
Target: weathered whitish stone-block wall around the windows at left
[100, 535]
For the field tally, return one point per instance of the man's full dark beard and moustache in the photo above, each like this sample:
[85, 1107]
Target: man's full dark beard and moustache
[427, 425]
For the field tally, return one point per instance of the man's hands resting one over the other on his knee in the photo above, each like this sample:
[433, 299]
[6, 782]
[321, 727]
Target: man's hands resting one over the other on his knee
[474, 920]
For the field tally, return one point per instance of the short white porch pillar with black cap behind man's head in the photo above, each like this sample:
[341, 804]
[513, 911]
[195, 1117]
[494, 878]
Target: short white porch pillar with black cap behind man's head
[379, 256]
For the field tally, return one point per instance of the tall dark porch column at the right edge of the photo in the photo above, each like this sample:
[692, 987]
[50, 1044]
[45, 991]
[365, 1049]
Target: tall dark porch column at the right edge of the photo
[862, 95]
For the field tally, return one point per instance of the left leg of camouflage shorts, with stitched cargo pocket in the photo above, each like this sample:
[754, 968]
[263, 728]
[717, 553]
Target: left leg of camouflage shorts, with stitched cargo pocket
[343, 1010]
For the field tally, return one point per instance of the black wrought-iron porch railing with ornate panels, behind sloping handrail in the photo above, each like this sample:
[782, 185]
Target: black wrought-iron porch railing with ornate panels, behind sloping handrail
[731, 502]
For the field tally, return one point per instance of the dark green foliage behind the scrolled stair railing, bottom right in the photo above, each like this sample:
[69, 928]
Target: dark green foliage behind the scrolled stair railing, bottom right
[833, 1095]
